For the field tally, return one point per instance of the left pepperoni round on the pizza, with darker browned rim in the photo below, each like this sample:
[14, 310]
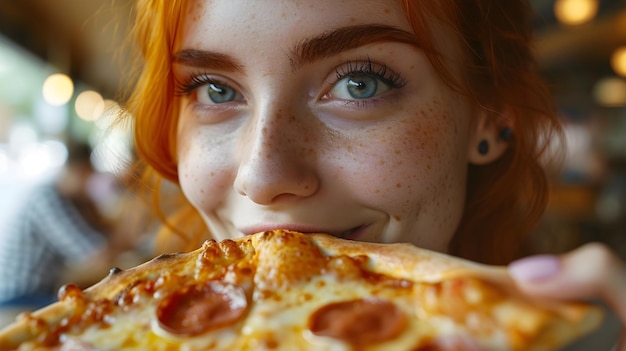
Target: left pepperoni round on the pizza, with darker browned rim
[201, 308]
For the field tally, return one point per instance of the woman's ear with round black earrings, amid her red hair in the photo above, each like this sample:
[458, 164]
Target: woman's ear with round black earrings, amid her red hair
[489, 139]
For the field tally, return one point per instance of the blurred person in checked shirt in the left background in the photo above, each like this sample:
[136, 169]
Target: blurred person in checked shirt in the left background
[56, 236]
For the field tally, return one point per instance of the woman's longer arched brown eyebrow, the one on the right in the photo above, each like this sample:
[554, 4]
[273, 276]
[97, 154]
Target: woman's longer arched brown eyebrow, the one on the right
[345, 38]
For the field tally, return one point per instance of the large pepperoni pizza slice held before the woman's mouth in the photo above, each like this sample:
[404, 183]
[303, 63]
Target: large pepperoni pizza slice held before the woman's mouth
[282, 290]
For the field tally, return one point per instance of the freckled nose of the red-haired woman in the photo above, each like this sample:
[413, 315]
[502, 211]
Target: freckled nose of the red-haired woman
[277, 159]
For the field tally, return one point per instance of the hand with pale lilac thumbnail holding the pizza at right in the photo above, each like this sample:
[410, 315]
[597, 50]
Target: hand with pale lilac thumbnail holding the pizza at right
[591, 271]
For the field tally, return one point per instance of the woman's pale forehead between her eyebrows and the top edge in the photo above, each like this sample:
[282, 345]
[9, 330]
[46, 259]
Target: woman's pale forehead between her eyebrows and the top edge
[227, 21]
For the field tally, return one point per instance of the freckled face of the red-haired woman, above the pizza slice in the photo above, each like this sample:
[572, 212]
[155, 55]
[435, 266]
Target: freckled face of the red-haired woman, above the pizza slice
[318, 116]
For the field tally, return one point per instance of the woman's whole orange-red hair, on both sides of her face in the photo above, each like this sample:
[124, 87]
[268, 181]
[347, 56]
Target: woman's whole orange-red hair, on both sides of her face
[504, 199]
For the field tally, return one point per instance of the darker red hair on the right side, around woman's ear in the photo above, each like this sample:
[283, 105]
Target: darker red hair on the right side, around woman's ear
[504, 199]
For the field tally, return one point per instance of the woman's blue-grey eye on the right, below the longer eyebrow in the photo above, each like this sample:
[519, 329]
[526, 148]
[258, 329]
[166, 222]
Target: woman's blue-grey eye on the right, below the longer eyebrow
[358, 86]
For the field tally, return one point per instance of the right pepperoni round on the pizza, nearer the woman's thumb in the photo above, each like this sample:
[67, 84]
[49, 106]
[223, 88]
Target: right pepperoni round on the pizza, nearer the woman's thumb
[359, 322]
